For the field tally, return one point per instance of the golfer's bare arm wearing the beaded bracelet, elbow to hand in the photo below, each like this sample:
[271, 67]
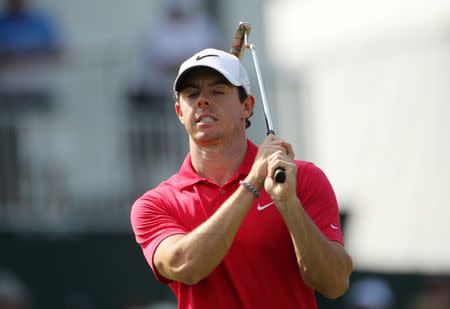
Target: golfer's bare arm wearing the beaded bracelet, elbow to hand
[192, 257]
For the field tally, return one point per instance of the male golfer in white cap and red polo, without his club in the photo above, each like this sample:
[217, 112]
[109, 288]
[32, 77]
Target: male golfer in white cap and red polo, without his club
[221, 233]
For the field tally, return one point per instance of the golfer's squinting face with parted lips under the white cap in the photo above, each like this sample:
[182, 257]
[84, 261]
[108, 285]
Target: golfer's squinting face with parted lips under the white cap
[210, 109]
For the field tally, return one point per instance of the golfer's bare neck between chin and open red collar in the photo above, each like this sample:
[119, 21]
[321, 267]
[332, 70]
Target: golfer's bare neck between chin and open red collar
[218, 162]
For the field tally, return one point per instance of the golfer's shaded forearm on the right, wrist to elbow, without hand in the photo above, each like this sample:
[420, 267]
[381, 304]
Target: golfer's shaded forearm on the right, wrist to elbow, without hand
[324, 265]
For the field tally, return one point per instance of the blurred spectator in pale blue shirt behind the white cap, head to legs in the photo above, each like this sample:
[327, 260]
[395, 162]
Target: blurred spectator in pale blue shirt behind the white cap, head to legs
[183, 28]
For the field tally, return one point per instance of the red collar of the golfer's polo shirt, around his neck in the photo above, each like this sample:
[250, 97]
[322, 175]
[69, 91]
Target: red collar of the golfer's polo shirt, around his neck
[187, 176]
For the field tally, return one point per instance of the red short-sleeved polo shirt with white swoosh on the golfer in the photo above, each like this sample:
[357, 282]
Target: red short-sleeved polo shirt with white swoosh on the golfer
[260, 269]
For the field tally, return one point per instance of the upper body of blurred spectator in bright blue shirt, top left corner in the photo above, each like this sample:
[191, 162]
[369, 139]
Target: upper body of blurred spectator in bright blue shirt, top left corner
[29, 40]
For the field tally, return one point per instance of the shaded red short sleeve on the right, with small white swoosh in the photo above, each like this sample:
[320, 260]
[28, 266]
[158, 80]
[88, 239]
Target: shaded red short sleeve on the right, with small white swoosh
[319, 200]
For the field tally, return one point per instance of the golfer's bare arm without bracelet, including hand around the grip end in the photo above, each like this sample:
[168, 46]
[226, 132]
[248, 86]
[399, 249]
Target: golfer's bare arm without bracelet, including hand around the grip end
[324, 265]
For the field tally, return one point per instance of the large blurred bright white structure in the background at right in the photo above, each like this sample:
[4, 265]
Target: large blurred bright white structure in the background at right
[370, 105]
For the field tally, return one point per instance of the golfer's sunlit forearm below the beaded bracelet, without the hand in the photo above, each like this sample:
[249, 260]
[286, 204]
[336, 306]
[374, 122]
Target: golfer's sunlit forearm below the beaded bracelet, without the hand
[194, 256]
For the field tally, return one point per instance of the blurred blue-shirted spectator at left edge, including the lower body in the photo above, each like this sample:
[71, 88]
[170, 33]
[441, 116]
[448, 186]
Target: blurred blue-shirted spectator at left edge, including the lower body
[29, 42]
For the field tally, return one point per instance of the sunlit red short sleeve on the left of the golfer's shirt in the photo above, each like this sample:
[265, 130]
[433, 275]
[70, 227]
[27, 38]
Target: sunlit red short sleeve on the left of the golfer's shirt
[152, 222]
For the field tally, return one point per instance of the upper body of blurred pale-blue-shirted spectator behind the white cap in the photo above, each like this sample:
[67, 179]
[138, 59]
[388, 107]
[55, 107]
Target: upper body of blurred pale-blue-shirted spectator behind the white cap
[183, 28]
